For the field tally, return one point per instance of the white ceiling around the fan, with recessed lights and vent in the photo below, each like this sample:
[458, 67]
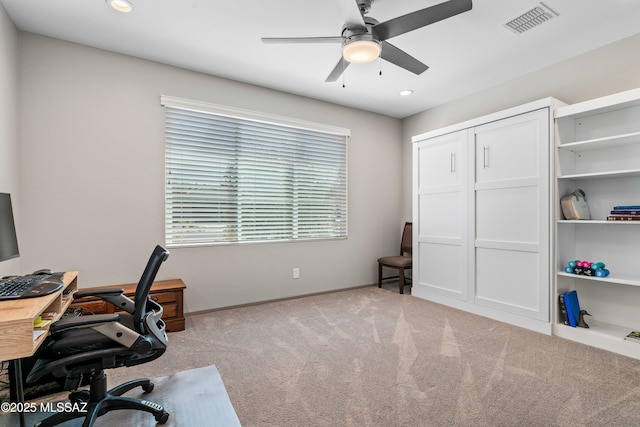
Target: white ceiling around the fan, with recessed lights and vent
[465, 53]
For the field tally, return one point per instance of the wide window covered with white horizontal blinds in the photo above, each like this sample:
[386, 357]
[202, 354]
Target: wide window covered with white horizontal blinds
[238, 176]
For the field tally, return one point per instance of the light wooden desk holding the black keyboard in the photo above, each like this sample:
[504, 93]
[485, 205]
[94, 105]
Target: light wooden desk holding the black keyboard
[17, 317]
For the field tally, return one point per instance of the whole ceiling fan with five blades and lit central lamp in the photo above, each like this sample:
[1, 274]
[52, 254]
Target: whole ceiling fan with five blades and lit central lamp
[364, 38]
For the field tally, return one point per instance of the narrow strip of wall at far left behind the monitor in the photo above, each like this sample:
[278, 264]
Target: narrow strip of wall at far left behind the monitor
[9, 153]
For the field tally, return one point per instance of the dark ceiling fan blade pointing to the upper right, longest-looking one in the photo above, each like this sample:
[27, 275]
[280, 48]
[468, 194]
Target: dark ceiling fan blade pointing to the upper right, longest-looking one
[418, 19]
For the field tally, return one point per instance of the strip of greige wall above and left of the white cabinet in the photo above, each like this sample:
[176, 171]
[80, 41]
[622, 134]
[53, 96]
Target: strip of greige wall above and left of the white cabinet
[603, 71]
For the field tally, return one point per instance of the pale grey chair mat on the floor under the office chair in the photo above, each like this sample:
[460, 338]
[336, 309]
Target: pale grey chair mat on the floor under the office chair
[195, 397]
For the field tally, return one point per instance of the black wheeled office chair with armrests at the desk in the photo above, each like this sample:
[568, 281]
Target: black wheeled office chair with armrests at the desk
[87, 345]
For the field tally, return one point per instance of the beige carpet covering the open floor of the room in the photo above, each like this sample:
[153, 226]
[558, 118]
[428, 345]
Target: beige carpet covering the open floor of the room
[372, 357]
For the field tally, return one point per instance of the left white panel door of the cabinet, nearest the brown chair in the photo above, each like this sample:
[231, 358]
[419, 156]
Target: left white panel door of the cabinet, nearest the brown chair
[441, 230]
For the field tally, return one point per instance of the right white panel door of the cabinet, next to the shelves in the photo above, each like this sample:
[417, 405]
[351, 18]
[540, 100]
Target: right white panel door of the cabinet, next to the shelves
[512, 214]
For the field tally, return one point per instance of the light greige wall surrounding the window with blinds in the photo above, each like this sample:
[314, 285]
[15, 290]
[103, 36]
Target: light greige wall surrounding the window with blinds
[93, 119]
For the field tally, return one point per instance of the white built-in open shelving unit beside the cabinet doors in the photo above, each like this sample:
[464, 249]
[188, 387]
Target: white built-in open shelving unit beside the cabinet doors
[598, 150]
